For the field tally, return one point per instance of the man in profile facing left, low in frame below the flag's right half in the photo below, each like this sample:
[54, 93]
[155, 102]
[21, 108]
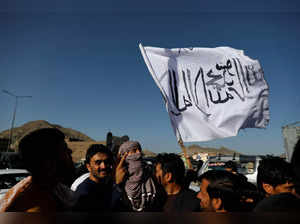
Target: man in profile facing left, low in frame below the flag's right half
[219, 192]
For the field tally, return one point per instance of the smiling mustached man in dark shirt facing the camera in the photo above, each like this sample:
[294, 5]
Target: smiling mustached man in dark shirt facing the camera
[95, 192]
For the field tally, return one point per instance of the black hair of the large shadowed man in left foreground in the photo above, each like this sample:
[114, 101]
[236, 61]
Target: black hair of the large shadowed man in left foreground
[40, 145]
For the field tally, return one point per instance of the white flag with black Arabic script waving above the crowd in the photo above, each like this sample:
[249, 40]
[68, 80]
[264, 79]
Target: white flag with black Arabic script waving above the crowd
[210, 93]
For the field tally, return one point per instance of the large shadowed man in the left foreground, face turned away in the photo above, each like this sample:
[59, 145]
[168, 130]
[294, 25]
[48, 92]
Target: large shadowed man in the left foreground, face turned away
[48, 159]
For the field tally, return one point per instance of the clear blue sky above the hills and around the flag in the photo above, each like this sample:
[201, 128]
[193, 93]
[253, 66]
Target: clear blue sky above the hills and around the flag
[80, 62]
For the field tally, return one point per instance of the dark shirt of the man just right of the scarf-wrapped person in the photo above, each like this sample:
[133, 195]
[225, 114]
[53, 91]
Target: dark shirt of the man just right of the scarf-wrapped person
[185, 201]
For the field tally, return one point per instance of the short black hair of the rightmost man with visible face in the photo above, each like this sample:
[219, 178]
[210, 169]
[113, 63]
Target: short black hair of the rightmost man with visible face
[274, 171]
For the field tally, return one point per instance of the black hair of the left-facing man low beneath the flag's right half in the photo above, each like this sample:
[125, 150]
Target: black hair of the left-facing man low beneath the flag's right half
[224, 185]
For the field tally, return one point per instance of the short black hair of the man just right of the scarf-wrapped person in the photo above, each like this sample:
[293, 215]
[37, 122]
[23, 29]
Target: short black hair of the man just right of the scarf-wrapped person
[171, 163]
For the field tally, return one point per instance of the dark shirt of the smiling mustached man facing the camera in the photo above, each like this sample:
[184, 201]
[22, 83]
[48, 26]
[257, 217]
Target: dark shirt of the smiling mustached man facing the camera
[94, 196]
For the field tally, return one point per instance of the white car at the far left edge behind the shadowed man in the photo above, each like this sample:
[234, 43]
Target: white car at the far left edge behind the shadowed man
[9, 178]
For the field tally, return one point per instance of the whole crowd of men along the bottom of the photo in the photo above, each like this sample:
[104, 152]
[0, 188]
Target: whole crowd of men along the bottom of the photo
[121, 181]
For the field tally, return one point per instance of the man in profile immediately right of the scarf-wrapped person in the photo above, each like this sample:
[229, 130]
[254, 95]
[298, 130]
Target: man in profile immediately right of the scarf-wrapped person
[170, 171]
